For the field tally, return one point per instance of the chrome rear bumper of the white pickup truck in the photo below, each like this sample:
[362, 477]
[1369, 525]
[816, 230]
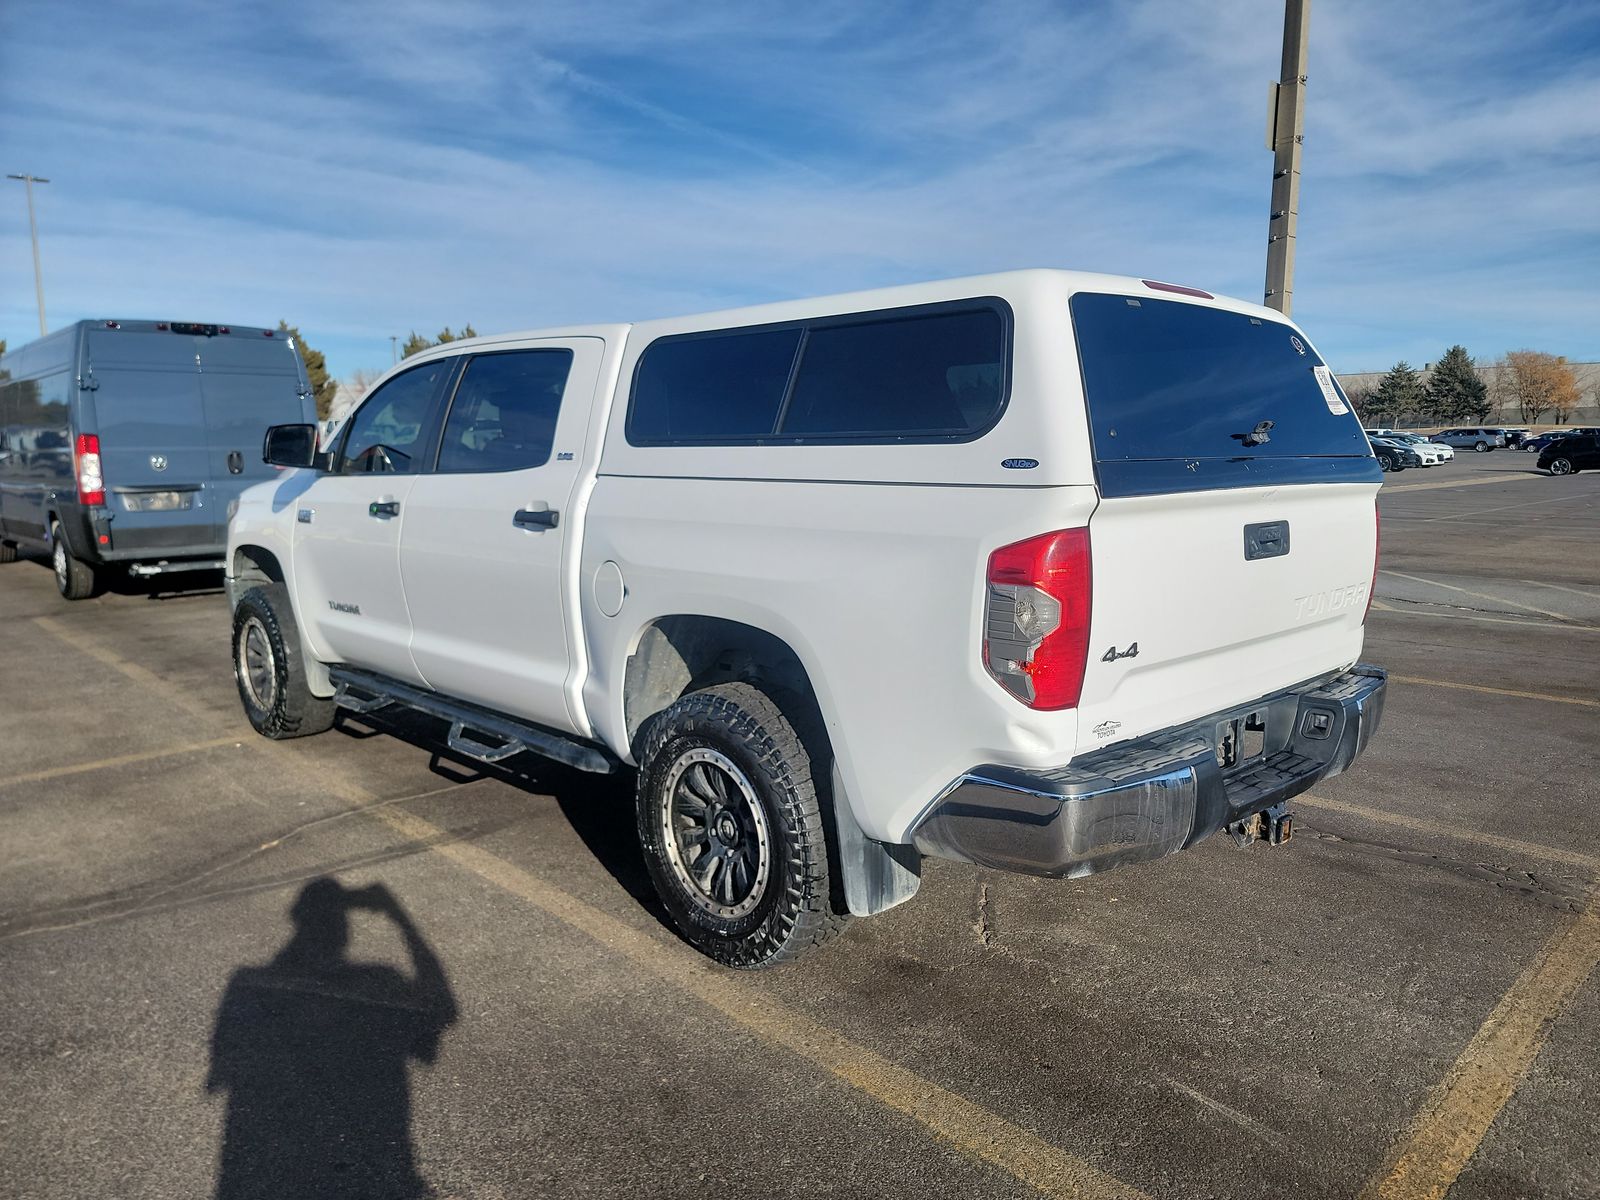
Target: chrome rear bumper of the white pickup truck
[1154, 796]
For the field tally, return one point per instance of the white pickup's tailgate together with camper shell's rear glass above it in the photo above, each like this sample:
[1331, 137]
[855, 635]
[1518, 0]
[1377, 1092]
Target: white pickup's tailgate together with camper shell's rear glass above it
[1236, 538]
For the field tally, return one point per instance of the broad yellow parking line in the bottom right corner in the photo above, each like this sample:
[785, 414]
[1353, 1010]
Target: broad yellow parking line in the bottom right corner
[1444, 1137]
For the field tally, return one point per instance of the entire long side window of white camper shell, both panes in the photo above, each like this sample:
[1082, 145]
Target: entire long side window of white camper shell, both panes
[916, 375]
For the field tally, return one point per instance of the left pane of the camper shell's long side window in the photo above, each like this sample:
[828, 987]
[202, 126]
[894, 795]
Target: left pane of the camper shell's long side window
[721, 388]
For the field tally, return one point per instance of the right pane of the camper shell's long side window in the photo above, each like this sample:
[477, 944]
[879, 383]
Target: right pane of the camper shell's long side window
[935, 377]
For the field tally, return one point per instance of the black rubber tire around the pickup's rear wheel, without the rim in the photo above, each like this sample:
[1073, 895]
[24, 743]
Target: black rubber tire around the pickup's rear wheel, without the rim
[746, 729]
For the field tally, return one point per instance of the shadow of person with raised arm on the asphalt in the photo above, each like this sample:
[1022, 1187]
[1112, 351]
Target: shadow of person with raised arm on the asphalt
[314, 1054]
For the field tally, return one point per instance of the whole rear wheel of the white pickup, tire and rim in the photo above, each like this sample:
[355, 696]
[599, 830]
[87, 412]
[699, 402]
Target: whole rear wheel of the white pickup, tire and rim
[732, 830]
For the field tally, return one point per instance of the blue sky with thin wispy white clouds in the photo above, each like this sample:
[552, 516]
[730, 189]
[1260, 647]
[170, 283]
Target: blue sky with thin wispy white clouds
[372, 169]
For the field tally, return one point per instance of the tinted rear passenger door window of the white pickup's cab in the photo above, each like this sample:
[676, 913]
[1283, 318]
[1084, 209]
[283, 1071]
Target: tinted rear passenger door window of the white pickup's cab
[505, 412]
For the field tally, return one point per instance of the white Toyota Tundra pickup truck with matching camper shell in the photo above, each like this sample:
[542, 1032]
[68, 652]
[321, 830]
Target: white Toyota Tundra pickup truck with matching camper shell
[1042, 570]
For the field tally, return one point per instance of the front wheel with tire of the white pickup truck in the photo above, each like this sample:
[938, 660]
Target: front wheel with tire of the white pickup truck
[270, 670]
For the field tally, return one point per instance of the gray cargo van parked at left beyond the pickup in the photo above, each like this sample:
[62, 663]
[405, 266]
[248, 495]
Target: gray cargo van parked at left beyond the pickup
[122, 442]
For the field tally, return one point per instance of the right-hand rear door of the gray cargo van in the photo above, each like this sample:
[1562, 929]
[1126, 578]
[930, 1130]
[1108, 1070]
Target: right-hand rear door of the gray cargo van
[249, 380]
